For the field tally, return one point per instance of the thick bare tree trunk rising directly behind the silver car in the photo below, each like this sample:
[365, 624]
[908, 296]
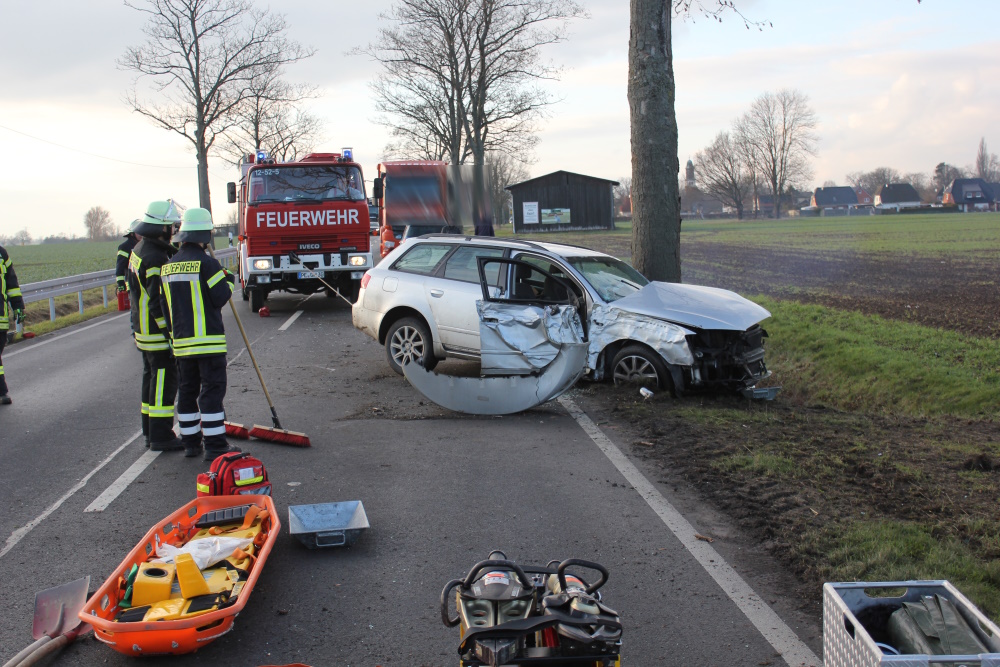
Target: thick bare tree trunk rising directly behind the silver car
[656, 222]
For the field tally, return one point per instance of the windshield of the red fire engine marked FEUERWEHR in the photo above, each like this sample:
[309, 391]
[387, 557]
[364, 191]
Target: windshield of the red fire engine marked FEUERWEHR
[275, 183]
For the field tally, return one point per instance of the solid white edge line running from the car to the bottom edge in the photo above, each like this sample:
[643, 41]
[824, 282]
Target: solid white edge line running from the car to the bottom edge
[768, 623]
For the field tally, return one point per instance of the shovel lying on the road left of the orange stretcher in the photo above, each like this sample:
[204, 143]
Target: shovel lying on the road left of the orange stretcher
[56, 622]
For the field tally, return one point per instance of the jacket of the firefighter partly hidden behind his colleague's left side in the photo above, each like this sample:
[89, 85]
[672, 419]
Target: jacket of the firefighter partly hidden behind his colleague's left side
[148, 321]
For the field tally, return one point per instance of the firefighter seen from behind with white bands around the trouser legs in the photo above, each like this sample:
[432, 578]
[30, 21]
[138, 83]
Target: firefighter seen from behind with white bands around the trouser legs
[195, 289]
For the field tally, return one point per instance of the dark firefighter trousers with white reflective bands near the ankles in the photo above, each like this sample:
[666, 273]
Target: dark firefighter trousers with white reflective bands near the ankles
[199, 401]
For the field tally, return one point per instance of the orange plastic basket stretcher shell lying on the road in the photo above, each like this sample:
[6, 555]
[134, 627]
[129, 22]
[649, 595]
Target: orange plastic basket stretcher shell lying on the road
[185, 635]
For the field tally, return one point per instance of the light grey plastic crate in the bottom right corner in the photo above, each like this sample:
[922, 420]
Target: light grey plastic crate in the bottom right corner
[853, 621]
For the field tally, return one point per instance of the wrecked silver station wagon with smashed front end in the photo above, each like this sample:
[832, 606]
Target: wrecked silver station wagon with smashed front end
[425, 302]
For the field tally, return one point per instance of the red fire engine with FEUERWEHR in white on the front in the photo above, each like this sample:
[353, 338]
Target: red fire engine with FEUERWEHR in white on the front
[299, 222]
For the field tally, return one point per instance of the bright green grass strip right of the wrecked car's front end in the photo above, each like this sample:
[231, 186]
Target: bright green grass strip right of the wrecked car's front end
[866, 363]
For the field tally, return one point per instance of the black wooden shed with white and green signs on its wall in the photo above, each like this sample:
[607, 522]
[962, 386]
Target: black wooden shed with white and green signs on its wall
[563, 201]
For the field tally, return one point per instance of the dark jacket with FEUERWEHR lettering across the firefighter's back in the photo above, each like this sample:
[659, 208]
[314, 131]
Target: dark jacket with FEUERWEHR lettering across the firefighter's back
[195, 288]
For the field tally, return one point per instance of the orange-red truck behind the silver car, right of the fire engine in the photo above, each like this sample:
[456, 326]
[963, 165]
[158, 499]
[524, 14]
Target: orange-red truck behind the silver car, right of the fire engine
[412, 194]
